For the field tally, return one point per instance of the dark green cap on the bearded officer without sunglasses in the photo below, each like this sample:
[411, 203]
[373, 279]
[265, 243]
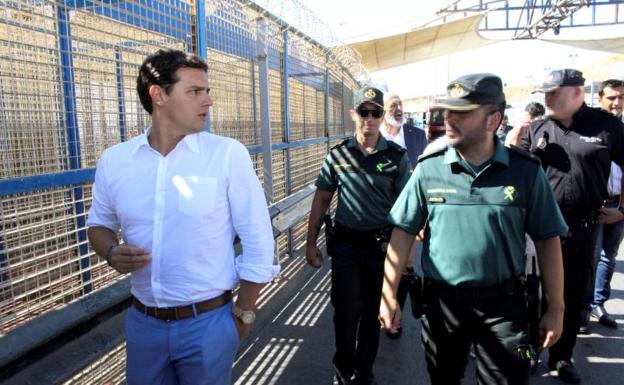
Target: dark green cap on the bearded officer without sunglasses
[472, 91]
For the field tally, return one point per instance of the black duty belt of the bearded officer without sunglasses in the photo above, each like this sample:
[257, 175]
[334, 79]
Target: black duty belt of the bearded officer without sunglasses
[463, 293]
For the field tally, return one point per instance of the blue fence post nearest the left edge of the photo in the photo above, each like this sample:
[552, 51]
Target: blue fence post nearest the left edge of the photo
[73, 138]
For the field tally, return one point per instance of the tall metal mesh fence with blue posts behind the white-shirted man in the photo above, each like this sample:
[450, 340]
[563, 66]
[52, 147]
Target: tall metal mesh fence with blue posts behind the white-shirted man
[67, 92]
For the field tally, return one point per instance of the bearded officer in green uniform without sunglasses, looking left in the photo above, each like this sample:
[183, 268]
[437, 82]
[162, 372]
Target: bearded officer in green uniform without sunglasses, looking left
[476, 199]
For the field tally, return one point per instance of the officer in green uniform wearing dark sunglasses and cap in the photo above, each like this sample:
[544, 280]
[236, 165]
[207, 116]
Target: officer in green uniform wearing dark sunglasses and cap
[369, 173]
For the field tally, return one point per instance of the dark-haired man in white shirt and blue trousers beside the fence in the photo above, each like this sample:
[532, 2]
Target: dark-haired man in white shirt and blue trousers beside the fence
[179, 196]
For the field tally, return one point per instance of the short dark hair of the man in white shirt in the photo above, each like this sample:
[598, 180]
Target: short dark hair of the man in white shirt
[160, 69]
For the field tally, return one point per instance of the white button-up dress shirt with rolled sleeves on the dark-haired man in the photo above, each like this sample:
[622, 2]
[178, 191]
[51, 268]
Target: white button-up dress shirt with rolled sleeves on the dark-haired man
[186, 208]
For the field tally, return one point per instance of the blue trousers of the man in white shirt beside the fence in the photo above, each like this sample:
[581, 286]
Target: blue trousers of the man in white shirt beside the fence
[192, 351]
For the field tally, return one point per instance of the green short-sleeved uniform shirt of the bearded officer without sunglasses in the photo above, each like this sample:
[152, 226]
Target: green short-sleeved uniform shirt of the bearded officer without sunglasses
[476, 223]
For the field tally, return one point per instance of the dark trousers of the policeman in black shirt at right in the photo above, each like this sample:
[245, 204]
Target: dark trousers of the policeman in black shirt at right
[578, 253]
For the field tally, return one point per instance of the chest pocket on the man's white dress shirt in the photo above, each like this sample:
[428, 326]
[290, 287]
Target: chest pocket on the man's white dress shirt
[196, 195]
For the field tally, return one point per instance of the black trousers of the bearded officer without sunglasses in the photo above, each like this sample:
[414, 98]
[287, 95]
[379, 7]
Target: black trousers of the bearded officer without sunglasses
[497, 327]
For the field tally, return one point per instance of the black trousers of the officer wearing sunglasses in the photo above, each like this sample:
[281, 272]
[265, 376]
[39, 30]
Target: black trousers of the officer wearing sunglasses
[357, 274]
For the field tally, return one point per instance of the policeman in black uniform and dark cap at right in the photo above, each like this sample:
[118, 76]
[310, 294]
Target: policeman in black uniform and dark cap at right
[576, 145]
